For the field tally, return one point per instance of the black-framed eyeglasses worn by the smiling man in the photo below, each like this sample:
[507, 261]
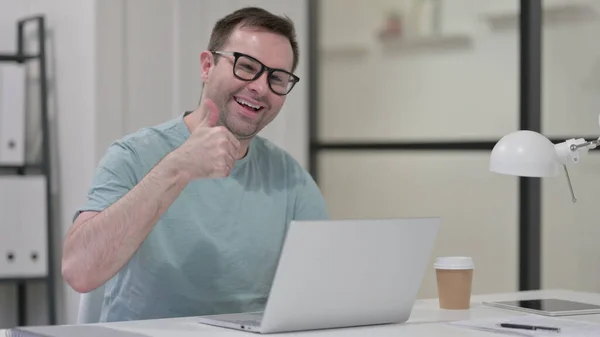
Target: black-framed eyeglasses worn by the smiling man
[247, 68]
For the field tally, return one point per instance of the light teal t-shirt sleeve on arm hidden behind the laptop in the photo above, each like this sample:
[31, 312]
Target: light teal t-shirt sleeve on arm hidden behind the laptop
[310, 203]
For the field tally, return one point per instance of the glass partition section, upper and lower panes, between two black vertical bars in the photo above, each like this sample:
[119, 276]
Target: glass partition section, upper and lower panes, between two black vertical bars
[412, 95]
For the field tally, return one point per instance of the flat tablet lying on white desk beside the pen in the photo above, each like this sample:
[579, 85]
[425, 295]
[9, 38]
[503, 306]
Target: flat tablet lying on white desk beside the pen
[548, 307]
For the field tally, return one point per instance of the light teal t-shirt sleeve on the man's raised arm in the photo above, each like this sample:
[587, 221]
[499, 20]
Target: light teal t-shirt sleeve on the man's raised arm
[114, 176]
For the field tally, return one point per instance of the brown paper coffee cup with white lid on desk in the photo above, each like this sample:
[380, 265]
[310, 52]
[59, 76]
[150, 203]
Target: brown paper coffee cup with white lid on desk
[454, 280]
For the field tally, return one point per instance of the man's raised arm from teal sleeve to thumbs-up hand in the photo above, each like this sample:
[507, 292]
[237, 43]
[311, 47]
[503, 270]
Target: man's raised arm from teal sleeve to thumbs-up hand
[100, 243]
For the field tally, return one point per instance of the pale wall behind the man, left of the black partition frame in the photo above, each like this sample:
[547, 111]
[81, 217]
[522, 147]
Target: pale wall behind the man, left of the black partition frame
[116, 66]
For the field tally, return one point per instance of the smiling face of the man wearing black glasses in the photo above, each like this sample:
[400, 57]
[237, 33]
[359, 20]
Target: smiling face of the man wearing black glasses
[233, 95]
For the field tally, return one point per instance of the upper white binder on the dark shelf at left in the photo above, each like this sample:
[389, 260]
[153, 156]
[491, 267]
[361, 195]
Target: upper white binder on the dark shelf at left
[12, 114]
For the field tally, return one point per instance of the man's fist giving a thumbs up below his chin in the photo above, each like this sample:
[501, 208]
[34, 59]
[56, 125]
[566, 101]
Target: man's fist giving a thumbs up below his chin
[210, 151]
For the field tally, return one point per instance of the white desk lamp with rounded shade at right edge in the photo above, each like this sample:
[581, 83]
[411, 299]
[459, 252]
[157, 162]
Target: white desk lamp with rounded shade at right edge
[527, 153]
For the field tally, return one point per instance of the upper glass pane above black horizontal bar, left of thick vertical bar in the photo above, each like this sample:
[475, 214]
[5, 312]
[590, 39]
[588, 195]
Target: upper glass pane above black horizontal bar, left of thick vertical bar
[446, 74]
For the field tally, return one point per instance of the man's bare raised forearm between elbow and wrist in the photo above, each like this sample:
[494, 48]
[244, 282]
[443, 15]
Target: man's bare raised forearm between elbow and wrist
[97, 248]
